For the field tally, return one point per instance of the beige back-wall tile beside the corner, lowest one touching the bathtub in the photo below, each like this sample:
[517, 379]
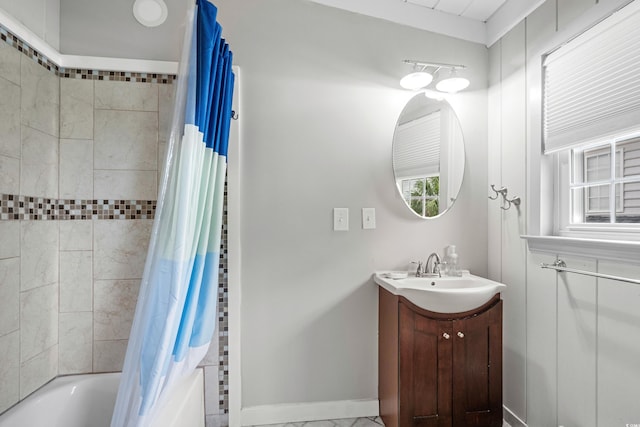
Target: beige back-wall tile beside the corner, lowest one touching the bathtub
[76, 343]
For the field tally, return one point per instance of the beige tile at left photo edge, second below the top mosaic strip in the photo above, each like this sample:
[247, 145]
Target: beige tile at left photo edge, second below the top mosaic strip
[10, 119]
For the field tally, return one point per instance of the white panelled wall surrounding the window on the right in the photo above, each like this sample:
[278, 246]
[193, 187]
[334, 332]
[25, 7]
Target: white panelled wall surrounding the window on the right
[569, 340]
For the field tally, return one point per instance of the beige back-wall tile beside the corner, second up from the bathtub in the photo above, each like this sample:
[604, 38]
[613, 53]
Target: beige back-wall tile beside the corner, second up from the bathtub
[76, 281]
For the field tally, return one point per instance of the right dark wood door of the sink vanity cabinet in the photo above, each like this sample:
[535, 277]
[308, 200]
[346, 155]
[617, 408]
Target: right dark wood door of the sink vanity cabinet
[477, 369]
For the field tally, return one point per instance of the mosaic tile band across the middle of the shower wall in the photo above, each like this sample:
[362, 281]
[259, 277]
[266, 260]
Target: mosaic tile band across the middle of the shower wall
[16, 207]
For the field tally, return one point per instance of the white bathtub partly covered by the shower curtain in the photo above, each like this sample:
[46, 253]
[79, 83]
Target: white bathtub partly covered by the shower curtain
[88, 400]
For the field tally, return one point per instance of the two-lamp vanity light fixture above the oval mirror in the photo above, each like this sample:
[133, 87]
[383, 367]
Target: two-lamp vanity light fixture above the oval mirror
[426, 74]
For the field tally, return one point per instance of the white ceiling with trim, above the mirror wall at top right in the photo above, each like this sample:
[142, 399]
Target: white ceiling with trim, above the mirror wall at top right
[479, 21]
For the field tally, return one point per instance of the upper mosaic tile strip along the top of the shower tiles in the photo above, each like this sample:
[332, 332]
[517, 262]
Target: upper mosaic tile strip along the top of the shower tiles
[75, 73]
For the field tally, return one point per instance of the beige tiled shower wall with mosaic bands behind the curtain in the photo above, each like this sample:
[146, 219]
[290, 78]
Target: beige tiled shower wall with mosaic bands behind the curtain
[80, 157]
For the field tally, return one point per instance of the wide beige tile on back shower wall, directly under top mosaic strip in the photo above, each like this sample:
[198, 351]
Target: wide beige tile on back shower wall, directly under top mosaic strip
[126, 96]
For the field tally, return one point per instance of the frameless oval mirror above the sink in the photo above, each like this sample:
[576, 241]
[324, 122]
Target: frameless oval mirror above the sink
[428, 156]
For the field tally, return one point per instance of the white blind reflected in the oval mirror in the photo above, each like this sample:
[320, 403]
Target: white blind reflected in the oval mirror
[416, 147]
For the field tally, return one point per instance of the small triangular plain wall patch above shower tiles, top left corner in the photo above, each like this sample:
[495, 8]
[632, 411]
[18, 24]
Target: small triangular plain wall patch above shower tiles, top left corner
[42, 17]
